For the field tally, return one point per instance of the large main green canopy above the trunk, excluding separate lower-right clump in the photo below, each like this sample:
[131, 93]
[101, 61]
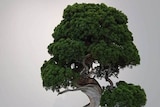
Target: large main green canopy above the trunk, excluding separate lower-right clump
[94, 29]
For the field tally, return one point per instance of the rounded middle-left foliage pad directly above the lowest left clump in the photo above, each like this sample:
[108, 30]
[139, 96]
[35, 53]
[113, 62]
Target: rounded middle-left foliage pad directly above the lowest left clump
[67, 50]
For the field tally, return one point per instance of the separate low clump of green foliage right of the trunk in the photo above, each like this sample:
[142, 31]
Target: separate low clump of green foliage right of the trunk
[124, 95]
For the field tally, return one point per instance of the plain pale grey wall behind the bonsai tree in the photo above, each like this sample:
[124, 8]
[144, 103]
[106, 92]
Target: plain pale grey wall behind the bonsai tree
[25, 32]
